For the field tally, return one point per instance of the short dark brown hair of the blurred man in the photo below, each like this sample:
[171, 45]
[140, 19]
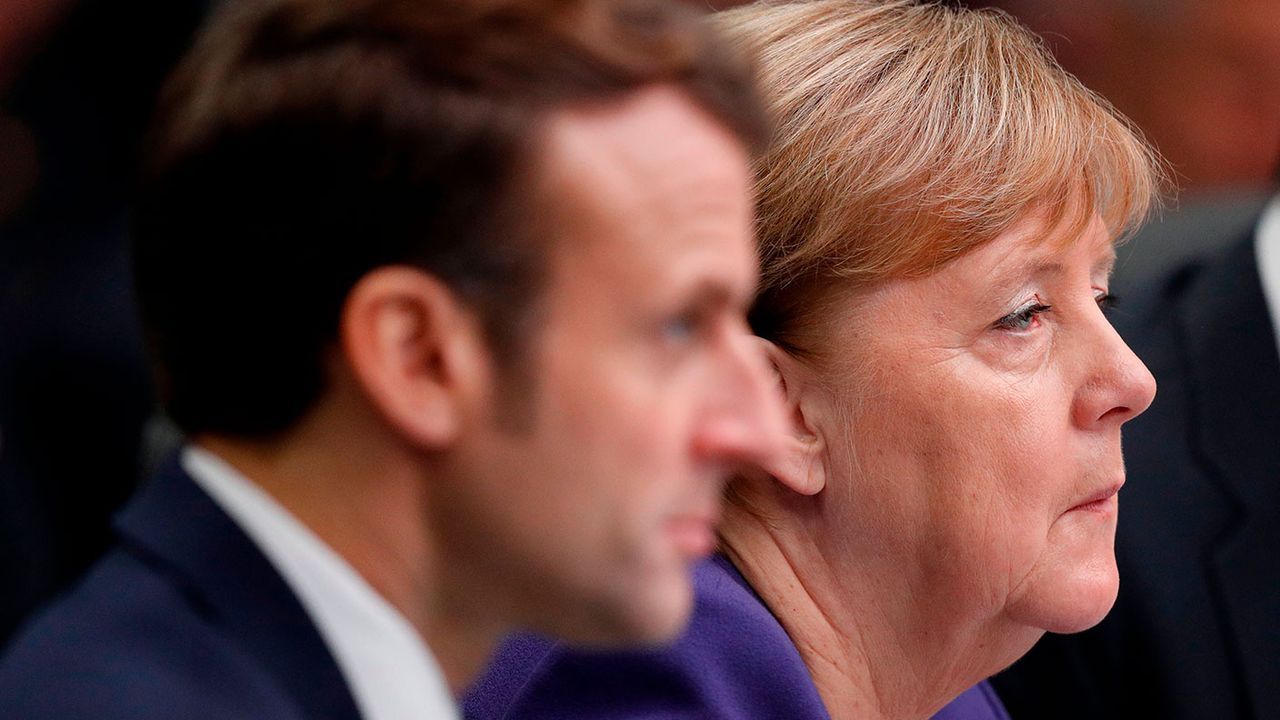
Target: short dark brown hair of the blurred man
[305, 143]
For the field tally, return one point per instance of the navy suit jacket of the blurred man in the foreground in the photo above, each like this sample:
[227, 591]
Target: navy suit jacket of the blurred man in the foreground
[185, 618]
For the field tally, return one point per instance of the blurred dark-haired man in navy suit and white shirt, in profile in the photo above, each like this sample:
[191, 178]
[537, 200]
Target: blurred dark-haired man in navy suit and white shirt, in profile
[450, 299]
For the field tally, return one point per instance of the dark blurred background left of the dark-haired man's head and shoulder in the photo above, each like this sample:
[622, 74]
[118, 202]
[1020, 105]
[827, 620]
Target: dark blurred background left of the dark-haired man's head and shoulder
[77, 80]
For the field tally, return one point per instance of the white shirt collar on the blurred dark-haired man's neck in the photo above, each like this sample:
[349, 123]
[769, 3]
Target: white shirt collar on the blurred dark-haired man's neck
[391, 672]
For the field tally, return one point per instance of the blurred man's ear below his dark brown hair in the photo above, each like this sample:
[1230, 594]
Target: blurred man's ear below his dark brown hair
[418, 354]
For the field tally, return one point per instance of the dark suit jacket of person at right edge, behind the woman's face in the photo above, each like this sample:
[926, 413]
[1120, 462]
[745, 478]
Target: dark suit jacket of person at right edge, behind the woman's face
[1196, 631]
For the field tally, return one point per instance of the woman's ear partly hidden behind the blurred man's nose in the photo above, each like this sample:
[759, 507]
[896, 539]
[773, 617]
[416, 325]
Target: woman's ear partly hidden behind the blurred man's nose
[799, 464]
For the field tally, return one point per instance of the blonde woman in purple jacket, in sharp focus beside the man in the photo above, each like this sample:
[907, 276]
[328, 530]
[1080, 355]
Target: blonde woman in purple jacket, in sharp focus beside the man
[938, 218]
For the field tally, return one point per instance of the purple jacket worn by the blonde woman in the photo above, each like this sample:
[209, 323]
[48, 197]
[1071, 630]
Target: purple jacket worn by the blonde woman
[734, 663]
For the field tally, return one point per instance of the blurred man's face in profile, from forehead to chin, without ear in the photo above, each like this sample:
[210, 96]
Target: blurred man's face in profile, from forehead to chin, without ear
[646, 389]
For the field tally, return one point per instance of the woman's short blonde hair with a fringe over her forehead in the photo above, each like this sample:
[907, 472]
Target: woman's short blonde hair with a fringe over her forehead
[908, 135]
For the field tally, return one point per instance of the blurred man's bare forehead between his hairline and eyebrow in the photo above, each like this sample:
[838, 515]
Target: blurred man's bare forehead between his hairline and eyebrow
[652, 181]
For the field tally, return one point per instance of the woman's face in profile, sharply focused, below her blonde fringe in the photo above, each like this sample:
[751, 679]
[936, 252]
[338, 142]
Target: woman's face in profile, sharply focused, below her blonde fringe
[980, 429]
